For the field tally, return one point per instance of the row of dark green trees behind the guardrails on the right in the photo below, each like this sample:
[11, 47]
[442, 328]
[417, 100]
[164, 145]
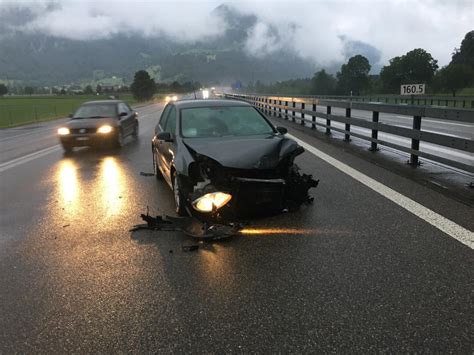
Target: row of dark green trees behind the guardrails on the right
[353, 78]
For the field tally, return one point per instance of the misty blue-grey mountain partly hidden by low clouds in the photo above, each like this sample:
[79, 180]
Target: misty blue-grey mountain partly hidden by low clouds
[41, 59]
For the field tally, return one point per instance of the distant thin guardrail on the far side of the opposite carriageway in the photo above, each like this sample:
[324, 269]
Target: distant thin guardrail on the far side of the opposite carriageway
[447, 101]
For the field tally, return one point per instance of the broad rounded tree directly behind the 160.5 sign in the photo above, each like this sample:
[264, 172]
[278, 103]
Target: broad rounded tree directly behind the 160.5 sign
[416, 66]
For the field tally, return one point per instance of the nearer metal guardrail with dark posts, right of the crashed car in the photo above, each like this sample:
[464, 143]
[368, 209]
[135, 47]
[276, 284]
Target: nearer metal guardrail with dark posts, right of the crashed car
[287, 107]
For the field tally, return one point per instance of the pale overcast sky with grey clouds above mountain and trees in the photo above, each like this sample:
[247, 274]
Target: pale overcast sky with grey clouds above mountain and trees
[312, 28]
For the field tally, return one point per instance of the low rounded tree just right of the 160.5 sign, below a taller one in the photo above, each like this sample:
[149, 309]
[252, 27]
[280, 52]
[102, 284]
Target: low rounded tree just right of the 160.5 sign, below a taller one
[454, 77]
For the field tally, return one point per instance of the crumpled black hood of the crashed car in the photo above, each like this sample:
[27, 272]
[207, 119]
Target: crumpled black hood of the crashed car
[245, 152]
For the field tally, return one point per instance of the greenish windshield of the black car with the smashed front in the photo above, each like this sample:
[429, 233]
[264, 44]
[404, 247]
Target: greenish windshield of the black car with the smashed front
[223, 121]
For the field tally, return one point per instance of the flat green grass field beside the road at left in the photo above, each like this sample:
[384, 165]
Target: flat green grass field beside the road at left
[16, 111]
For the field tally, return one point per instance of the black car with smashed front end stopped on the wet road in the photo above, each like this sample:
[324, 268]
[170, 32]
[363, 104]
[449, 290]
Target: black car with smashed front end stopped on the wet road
[224, 158]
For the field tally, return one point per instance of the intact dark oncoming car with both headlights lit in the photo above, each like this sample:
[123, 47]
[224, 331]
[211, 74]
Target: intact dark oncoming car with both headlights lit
[99, 123]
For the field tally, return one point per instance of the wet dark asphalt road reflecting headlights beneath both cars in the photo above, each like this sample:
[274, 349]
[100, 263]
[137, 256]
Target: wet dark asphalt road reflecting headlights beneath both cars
[353, 272]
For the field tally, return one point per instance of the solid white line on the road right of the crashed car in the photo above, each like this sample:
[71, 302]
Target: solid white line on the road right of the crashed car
[445, 225]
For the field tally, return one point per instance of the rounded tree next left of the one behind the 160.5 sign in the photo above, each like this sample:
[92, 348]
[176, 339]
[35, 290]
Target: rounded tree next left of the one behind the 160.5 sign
[354, 76]
